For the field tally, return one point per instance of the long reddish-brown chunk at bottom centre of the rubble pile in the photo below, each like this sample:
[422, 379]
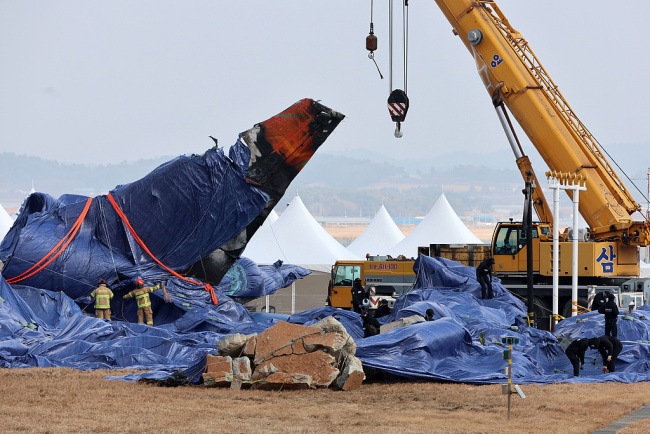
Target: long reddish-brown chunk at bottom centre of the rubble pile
[320, 366]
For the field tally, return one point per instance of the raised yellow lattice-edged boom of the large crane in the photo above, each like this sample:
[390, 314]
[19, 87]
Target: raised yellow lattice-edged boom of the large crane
[509, 67]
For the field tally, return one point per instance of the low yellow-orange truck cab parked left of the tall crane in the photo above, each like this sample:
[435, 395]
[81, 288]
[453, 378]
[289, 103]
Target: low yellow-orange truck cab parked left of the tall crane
[382, 277]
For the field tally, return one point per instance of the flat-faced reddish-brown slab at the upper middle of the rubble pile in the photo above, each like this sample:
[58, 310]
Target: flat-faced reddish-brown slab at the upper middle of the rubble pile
[278, 339]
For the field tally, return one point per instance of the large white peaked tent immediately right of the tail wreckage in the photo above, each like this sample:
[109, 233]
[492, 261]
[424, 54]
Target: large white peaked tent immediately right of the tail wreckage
[297, 238]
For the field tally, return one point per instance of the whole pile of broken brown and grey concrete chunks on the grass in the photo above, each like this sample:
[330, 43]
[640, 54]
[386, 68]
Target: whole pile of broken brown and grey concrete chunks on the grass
[287, 356]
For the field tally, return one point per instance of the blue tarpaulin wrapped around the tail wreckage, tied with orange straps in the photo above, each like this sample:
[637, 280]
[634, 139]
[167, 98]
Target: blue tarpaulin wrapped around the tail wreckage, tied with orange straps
[184, 209]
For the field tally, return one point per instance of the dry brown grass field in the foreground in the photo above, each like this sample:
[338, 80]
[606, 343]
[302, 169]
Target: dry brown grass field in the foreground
[64, 400]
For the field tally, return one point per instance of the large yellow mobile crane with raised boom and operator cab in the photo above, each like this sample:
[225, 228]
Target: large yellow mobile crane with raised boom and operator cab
[608, 252]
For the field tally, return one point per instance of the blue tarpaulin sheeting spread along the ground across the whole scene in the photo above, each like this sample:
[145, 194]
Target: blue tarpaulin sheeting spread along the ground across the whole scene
[462, 344]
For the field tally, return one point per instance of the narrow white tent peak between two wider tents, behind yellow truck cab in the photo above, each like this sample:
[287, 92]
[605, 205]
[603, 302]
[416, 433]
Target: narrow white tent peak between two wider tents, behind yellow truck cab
[378, 237]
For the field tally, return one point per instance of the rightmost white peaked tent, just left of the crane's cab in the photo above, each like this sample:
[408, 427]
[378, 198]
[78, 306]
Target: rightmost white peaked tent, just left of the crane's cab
[440, 226]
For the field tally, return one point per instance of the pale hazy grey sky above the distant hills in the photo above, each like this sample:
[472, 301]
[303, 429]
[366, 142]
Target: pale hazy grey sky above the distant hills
[97, 82]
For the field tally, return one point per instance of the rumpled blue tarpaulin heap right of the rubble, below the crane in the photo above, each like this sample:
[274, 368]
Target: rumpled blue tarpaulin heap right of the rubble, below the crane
[449, 348]
